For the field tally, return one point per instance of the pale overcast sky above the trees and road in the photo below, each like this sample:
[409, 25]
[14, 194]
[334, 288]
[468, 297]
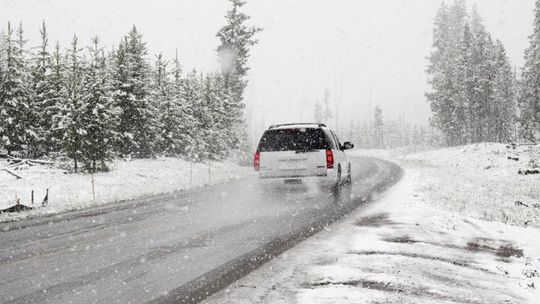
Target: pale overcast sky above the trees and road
[355, 48]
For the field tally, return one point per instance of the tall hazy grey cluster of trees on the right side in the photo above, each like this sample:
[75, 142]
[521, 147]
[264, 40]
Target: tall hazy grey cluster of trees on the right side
[475, 94]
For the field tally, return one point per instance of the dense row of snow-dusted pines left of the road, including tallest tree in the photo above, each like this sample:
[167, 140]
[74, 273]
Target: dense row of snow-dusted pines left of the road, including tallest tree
[93, 104]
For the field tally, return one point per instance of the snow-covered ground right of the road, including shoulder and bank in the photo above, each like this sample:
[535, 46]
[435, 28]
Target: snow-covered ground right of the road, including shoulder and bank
[413, 245]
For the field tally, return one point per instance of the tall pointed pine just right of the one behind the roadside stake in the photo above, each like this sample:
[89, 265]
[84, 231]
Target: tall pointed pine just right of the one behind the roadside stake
[131, 81]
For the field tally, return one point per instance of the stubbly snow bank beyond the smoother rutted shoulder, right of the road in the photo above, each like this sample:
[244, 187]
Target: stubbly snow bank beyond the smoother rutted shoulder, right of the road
[482, 181]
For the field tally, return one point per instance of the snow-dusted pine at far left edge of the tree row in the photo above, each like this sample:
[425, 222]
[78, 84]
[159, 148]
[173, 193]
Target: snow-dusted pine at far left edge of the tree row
[15, 94]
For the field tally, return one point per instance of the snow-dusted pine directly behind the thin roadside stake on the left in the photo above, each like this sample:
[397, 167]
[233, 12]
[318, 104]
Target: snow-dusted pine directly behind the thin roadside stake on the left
[99, 117]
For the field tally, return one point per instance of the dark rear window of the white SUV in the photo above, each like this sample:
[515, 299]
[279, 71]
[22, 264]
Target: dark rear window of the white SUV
[294, 140]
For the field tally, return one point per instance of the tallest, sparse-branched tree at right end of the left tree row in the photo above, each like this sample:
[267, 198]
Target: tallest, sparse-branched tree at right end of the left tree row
[236, 38]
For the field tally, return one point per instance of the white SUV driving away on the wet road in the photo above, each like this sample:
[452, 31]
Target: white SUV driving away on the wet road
[294, 152]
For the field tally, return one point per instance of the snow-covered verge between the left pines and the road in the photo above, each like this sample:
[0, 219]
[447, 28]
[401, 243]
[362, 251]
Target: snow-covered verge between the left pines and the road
[126, 180]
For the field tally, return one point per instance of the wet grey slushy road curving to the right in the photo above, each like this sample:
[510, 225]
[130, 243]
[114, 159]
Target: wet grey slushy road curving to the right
[168, 249]
